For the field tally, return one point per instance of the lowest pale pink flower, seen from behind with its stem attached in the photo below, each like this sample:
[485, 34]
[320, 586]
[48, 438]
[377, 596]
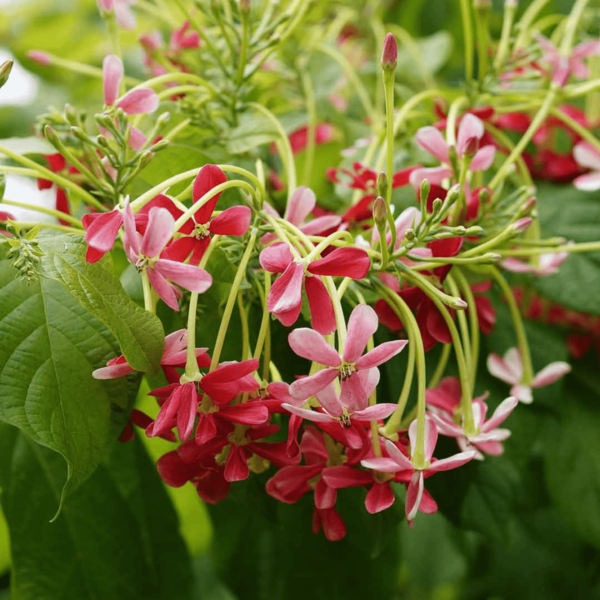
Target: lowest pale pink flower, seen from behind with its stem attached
[417, 498]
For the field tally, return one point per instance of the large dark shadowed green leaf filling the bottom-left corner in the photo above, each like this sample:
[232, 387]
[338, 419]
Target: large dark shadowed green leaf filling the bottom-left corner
[117, 537]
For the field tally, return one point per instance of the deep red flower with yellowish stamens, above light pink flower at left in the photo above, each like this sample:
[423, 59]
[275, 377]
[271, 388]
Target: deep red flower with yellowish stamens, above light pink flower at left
[199, 229]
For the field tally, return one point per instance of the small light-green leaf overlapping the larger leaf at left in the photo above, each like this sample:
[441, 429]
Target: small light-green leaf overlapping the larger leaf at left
[139, 333]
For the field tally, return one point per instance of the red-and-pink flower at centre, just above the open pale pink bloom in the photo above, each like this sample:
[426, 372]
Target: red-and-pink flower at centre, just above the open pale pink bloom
[285, 296]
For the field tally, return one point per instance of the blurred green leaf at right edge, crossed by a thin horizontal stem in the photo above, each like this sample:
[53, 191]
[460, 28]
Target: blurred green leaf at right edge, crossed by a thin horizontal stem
[568, 212]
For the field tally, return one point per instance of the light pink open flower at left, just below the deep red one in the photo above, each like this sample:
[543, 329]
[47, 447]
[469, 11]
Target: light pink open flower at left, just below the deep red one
[144, 252]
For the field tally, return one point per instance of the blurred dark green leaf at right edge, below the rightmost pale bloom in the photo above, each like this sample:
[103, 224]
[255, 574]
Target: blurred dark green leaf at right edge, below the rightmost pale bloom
[572, 462]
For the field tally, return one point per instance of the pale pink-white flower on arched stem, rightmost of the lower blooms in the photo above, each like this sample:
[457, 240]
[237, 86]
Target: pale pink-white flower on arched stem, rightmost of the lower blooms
[510, 370]
